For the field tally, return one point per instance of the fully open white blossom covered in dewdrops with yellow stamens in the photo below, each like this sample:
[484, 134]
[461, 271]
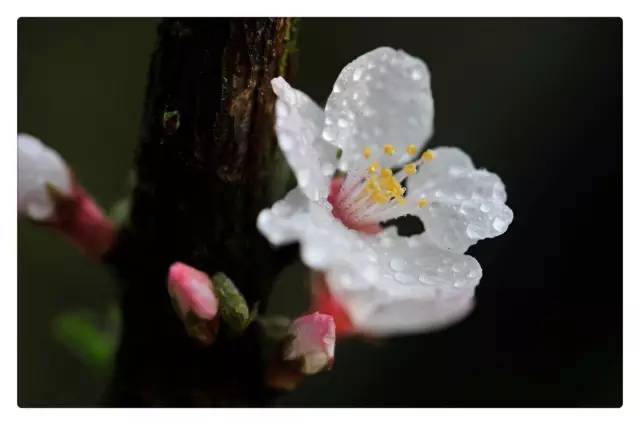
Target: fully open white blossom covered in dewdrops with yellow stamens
[380, 115]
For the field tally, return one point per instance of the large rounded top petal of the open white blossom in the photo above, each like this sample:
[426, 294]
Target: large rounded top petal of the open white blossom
[383, 97]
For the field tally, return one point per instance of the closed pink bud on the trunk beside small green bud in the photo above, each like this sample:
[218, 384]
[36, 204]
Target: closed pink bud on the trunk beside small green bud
[195, 301]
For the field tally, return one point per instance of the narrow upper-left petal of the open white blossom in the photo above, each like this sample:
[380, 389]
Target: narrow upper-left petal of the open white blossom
[298, 126]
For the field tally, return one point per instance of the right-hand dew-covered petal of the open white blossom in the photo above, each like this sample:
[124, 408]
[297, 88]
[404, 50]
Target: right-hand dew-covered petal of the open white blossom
[465, 204]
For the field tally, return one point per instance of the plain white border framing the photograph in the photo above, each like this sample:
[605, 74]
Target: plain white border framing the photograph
[8, 243]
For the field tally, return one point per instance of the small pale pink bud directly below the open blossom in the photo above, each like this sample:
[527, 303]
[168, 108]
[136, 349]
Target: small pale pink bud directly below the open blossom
[313, 339]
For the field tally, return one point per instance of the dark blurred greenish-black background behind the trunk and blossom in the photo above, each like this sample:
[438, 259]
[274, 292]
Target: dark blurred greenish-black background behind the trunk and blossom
[538, 101]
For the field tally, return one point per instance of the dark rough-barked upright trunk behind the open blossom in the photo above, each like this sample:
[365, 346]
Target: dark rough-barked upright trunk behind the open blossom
[207, 163]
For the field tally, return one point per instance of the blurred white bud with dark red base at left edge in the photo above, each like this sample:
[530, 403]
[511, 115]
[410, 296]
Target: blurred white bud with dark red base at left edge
[48, 194]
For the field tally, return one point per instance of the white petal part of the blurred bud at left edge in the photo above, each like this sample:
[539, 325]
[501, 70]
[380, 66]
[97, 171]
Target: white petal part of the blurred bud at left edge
[38, 167]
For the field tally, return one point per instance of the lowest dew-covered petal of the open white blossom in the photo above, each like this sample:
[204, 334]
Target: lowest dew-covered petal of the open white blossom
[417, 287]
